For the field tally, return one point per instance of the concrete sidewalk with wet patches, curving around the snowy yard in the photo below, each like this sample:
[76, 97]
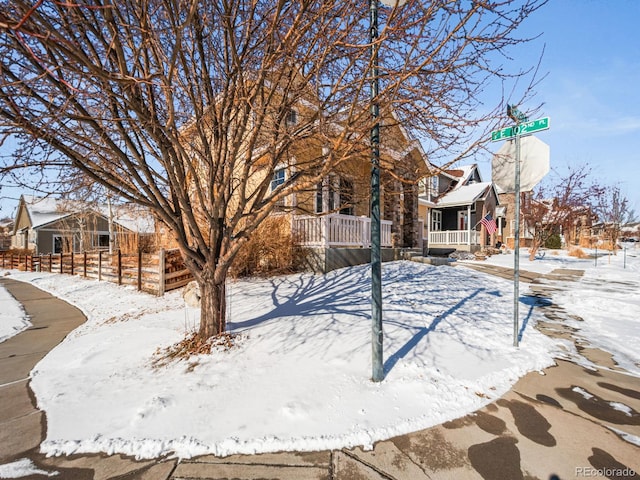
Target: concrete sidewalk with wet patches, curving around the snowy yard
[568, 422]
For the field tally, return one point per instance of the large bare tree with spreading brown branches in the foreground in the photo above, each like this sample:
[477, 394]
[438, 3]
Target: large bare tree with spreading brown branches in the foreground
[189, 107]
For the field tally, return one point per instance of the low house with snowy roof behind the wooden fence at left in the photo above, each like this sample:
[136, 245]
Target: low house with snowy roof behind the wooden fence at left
[48, 225]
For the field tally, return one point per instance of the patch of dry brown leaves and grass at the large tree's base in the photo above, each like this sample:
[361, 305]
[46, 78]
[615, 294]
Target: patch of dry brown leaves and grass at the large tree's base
[191, 346]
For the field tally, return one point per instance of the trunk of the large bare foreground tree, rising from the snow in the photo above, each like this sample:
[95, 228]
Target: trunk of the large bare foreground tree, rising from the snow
[213, 306]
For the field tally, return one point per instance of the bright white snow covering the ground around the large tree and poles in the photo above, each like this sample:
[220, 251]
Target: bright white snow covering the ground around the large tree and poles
[299, 377]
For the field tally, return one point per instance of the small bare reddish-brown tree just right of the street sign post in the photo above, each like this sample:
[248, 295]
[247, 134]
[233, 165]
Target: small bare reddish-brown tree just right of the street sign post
[563, 207]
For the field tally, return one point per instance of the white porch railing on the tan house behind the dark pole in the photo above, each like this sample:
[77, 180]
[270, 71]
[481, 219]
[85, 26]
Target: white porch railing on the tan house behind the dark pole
[336, 230]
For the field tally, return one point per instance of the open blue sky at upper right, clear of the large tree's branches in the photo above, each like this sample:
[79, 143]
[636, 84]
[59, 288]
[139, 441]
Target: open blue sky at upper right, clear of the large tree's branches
[592, 89]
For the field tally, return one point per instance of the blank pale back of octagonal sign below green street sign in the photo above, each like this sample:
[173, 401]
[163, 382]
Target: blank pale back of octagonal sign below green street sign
[534, 164]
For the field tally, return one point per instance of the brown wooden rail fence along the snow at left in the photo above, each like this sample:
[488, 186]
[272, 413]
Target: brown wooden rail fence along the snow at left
[149, 272]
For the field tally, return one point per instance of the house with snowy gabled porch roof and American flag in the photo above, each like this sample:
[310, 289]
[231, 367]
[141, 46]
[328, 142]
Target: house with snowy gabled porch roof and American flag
[452, 204]
